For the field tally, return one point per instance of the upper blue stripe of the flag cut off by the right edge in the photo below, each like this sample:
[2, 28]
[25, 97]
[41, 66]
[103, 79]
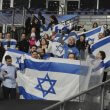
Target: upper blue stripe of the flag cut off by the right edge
[100, 44]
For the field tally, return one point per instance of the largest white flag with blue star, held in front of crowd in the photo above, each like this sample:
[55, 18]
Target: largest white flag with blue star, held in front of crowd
[52, 79]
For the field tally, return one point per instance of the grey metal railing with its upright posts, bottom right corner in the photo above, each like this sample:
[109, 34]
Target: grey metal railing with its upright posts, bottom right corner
[102, 91]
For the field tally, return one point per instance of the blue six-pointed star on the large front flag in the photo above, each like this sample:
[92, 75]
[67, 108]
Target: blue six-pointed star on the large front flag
[46, 91]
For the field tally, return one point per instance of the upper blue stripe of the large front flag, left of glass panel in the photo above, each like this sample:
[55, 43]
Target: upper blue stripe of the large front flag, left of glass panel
[52, 67]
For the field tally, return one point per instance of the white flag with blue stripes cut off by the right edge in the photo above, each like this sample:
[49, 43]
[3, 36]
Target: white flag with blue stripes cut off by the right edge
[103, 45]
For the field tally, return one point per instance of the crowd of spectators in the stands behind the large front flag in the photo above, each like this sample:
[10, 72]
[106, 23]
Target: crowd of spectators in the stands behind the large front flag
[33, 43]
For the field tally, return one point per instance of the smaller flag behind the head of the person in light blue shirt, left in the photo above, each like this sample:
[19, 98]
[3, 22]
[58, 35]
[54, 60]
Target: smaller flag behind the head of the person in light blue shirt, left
[16, 56]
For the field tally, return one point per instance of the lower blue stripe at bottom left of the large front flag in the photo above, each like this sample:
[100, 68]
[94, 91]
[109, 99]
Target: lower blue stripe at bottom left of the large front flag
[28, 96]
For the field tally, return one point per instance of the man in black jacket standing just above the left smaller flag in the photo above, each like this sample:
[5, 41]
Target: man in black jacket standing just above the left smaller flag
[23, 45]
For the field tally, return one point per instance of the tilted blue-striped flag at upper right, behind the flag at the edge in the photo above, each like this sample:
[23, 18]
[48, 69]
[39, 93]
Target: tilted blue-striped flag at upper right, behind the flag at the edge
[93, 34]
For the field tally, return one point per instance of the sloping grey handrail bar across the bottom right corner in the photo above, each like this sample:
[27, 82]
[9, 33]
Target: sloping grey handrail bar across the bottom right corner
[77, 95]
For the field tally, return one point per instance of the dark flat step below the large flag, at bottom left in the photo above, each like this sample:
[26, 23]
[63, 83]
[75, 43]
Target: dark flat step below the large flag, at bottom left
[25, 105]
